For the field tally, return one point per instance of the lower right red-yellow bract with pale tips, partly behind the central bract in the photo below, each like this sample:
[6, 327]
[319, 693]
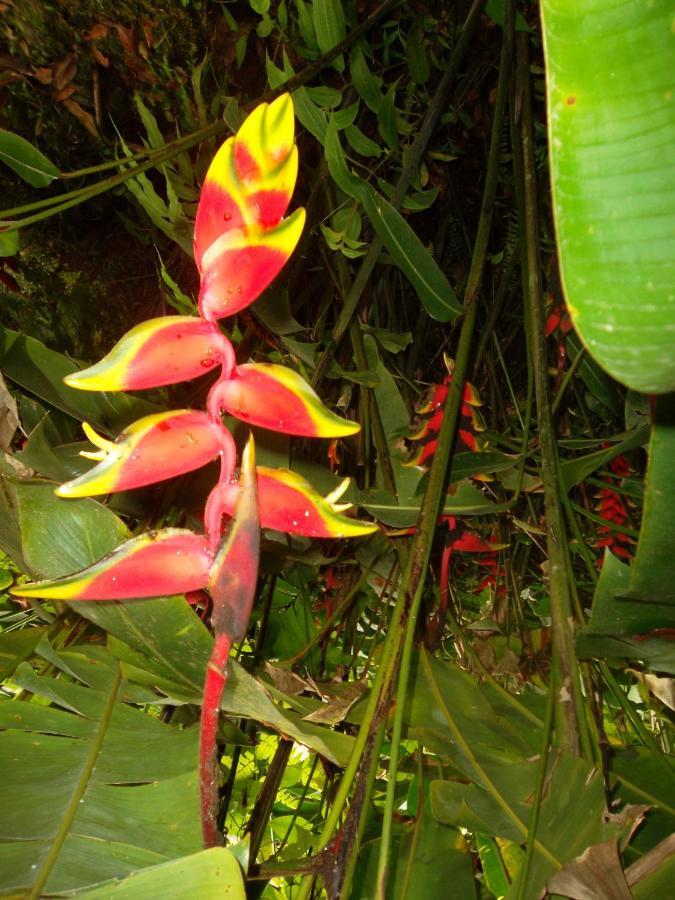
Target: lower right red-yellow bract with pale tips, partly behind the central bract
[290, 504]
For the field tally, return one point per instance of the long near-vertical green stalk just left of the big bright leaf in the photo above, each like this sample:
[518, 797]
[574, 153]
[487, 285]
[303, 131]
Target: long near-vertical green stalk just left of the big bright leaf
[570, 720]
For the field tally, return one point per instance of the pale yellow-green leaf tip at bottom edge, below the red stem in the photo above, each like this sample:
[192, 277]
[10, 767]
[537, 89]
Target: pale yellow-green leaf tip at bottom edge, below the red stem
[209, 873]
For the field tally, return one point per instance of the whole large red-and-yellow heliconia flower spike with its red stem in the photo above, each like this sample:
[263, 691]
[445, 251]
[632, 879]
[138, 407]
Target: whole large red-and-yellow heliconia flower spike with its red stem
[241, 243]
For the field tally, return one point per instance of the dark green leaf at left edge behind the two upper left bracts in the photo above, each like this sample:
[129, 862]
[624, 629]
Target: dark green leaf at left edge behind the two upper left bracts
[28, 363]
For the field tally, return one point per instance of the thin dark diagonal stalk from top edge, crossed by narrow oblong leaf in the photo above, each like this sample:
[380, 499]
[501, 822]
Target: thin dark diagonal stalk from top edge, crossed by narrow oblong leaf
[434, 110]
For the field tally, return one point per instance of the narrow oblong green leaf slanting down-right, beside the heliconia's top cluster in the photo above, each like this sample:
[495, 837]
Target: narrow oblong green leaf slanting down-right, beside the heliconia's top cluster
[411, 256]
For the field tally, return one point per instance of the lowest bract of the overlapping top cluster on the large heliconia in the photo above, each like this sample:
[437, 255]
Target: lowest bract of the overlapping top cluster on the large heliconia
[242, 262]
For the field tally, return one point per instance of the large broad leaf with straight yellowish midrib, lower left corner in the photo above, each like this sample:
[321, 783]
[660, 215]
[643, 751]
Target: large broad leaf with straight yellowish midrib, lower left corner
[117, 789]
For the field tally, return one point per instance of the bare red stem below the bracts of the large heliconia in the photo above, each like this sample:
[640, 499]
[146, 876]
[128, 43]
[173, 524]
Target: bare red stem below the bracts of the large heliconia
[214, 684]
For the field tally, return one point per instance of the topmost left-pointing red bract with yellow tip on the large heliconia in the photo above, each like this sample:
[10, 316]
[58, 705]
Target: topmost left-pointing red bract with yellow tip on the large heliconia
[158, 352]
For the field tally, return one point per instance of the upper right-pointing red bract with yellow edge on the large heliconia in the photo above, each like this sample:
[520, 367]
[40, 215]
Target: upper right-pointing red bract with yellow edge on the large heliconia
[277, 398]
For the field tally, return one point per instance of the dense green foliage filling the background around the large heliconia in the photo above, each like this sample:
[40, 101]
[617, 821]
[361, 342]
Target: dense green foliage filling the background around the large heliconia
[478, 693]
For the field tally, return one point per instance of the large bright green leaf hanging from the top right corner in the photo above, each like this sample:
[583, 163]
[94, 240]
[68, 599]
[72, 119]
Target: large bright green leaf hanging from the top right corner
[612, 134]
